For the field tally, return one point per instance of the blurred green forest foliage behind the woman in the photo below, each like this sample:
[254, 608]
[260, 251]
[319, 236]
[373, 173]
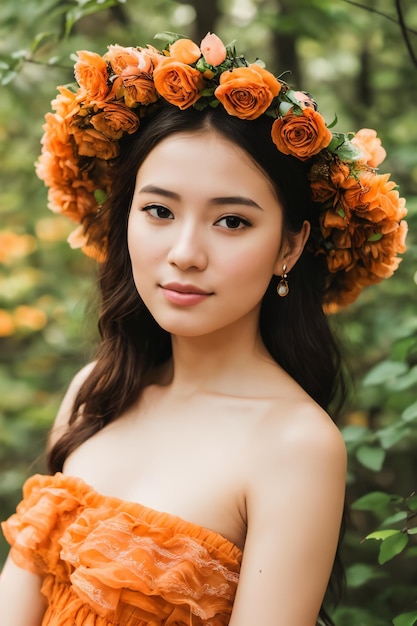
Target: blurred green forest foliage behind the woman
[355, 61]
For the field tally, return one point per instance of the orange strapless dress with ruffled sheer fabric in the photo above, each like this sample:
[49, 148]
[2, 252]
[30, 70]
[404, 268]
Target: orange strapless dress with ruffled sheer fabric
[105, 561]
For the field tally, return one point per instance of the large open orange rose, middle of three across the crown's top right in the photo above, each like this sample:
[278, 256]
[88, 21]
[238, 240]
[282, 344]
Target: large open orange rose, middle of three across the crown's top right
[247, 92]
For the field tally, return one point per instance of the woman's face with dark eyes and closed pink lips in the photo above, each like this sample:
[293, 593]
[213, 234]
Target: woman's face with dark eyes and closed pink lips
[204, 235]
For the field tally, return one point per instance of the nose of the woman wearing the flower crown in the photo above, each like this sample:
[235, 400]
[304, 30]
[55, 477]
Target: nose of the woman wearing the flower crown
[188, 248]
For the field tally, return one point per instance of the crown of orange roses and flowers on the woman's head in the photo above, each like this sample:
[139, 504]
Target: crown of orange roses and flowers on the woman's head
[361, 213]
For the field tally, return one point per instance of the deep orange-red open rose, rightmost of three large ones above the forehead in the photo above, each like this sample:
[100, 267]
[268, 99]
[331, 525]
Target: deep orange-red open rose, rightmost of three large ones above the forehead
[302, 136]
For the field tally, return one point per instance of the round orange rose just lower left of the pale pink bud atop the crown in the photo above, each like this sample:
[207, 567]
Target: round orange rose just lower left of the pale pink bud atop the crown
[178, 83]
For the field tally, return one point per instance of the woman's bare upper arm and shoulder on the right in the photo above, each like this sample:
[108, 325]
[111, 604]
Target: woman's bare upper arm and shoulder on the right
[294, 506]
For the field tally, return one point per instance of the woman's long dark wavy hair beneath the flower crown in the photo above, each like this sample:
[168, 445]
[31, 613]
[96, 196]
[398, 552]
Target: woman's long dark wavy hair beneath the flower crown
[294, 329]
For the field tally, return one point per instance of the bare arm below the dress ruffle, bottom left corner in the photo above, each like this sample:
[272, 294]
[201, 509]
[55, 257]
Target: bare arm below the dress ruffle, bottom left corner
[21, 602]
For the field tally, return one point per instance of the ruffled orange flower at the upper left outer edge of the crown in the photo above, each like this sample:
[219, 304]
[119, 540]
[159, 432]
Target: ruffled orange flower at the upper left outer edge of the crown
[91, 73]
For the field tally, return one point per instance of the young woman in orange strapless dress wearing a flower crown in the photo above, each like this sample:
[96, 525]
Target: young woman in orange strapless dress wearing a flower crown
[195, 474]
